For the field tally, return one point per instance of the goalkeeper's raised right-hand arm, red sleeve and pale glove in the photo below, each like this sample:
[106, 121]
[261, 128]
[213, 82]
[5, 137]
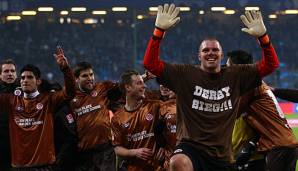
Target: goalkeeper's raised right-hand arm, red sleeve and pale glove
[255, 26]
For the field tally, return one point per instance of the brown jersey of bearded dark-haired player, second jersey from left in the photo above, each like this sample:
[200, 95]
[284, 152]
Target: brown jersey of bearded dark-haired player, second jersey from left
[92, 116]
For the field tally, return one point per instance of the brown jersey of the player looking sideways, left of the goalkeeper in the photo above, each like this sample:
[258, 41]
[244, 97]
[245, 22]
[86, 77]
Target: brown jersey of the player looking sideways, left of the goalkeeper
[133, 130]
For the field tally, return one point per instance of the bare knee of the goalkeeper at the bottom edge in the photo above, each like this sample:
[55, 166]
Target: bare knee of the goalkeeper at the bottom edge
[180, 162]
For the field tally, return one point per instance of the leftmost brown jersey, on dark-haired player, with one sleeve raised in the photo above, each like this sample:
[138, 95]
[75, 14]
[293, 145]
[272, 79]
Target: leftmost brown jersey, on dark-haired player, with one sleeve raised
[31, 124]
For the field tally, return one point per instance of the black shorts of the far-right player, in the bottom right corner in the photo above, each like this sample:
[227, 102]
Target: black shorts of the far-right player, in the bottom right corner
[283, 158]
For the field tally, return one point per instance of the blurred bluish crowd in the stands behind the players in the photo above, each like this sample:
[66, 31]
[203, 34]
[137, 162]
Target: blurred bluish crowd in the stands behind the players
[118, 42]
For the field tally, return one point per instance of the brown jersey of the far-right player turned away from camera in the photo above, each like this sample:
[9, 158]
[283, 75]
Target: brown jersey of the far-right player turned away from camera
[267, 118]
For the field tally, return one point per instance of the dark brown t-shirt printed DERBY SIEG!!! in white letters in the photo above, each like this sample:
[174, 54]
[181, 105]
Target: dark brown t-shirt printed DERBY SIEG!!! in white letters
[207, 103]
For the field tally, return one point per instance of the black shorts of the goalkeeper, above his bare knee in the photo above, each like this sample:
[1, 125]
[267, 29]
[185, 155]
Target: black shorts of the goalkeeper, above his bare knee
[201, 161]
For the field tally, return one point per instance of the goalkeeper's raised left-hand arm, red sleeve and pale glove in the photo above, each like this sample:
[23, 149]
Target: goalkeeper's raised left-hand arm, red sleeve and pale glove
[165, 19]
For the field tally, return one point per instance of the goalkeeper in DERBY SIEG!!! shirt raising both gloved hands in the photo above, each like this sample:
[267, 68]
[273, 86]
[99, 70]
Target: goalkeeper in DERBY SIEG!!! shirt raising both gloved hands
[207, 94]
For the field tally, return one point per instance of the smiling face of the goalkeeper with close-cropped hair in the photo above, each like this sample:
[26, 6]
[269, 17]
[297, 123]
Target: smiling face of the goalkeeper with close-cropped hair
[210, 55]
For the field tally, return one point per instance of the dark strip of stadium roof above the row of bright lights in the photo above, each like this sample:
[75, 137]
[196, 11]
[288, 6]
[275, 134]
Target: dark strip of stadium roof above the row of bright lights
[15, 5]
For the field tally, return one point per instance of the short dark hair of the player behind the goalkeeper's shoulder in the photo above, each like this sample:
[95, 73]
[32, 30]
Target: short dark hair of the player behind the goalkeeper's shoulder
[240, 57]
